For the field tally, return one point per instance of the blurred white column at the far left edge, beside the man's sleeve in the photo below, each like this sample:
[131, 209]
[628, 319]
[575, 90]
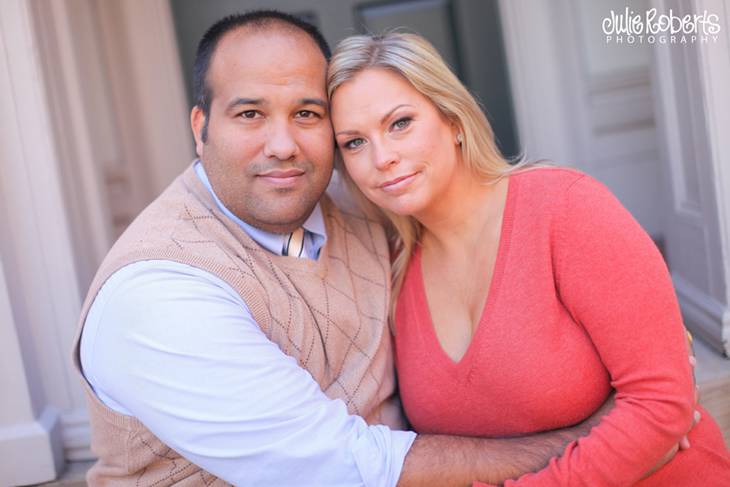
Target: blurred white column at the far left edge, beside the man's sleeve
[42, 418]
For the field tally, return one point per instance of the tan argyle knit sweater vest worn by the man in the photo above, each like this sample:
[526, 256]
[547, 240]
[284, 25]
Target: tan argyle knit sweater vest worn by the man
[329, 314]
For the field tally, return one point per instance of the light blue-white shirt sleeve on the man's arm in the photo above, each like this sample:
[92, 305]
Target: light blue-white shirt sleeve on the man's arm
[177, 348]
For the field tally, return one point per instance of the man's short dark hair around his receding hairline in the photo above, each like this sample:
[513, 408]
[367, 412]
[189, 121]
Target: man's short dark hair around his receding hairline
[202, 92]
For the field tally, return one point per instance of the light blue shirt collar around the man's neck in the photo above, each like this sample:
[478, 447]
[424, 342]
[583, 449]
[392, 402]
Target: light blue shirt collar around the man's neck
[314, 239]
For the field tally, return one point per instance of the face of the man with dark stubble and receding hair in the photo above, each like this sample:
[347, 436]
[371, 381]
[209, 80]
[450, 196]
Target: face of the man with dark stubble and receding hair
[269, 148]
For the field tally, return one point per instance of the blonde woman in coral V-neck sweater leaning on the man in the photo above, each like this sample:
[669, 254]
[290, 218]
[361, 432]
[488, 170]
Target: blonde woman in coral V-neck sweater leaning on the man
[523, 295]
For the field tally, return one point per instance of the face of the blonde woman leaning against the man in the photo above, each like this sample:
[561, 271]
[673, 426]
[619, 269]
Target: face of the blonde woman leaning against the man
[397, 146]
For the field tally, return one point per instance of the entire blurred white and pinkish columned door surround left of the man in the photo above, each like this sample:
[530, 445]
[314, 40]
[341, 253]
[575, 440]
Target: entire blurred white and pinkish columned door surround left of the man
[92, 126]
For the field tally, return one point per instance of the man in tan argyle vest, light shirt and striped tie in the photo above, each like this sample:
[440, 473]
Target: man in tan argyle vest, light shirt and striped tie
[236, 333]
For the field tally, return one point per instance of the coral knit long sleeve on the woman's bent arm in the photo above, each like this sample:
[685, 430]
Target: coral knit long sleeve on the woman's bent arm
[613, 282]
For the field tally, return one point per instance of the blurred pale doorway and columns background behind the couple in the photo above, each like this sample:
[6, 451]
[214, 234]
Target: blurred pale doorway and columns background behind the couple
[95, 100]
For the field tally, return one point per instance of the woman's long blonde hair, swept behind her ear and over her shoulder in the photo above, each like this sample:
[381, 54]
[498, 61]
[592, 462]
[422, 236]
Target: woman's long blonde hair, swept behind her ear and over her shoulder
[416, 60]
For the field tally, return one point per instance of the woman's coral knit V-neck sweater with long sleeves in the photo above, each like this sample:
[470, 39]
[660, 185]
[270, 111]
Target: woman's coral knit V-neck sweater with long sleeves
[580, 303]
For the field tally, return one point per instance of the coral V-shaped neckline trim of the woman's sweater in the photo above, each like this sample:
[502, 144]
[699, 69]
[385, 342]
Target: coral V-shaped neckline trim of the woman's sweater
[429, 336]
